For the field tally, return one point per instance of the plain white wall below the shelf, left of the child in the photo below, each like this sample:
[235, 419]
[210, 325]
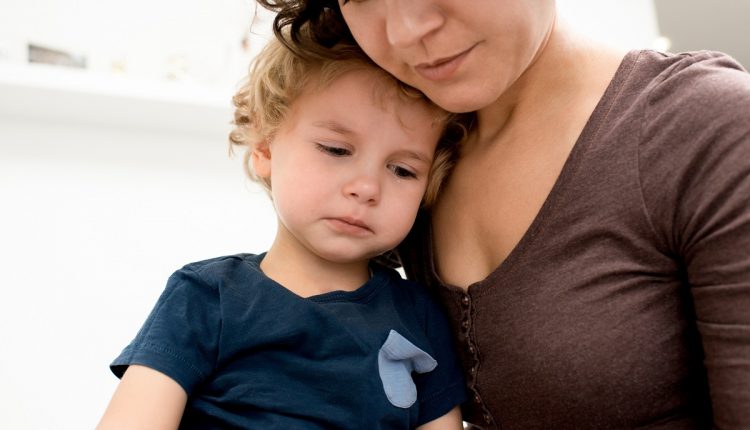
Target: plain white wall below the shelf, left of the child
[93, 222]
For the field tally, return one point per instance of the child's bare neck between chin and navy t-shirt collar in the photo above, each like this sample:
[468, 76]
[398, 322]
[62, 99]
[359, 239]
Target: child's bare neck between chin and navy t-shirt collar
[306, 274]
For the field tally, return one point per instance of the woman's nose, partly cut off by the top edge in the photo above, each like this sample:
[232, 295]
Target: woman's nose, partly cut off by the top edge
[408, 21]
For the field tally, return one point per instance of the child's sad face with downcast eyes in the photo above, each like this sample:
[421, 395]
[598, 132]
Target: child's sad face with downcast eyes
[348, 170]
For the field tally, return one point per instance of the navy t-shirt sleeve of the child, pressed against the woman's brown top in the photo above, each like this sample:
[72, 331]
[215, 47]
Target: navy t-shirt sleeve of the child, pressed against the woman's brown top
[443, 388]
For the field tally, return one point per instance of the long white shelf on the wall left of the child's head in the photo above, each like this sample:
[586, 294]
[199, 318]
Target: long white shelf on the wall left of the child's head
[59, 94]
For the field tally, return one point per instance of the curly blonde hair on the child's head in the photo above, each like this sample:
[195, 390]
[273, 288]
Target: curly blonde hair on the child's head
[278, 76]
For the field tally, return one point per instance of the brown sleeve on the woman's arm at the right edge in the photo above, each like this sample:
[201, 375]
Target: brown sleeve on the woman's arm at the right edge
[695, 172]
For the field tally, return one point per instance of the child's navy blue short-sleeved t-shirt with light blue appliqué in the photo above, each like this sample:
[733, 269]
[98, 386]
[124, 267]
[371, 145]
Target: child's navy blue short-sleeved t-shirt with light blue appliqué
[252, 354]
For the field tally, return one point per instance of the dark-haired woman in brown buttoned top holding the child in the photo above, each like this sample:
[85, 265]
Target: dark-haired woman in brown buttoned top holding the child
[592, 245]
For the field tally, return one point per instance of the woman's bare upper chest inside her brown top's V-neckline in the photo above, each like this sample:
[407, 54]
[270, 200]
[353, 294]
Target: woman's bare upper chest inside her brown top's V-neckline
[486, 208]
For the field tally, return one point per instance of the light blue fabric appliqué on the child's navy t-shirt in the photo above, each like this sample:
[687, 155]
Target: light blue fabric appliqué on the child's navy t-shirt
[396, 360]
